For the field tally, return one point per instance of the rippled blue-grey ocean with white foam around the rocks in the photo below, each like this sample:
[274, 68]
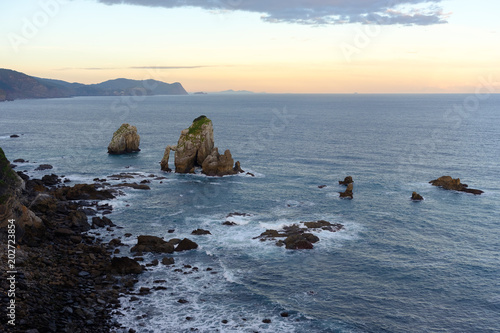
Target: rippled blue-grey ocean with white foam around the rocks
[397, 266]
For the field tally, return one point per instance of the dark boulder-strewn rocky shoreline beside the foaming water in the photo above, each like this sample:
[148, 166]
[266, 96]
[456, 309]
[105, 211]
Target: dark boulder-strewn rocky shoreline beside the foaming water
[66, 280]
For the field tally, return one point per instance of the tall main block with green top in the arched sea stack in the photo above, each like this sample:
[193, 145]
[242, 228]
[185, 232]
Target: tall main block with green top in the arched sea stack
[194, 145]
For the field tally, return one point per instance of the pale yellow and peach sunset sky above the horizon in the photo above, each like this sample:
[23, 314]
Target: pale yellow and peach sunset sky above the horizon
[280, 46]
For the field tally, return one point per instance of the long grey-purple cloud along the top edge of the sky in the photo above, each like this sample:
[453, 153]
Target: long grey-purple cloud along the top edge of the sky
[318, 12]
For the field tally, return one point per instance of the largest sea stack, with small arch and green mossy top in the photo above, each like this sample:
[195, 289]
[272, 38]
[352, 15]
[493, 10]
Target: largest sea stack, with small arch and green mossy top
[195, 148]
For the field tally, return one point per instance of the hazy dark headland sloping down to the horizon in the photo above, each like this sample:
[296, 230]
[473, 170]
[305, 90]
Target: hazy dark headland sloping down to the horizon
[16, 85]
